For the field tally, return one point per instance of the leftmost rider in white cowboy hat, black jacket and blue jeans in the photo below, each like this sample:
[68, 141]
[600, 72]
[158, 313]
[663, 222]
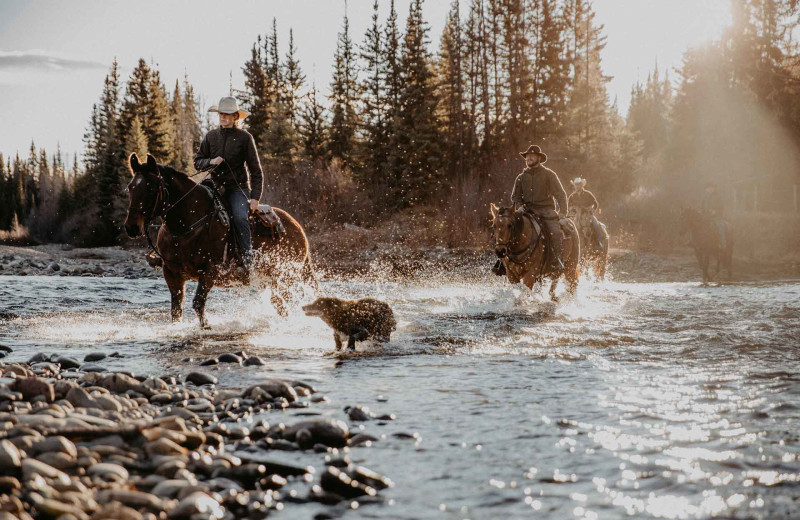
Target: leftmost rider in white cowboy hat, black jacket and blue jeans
[230, 153]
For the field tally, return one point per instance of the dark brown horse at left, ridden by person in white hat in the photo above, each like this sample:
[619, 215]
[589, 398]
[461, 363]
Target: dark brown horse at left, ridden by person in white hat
[193, 239]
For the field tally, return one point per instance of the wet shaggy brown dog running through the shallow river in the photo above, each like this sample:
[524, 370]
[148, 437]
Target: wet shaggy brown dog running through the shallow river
[355, 320]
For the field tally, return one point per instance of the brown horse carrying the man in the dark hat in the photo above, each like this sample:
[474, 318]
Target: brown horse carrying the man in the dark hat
[519, 243]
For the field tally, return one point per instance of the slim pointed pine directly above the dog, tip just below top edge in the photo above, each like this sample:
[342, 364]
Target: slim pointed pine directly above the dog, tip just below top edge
[344, 94]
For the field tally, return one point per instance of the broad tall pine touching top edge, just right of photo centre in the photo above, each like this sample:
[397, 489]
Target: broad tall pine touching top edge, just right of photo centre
[415, 148]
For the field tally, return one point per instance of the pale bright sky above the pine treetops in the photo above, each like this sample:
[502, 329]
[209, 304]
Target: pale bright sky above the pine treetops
[55, 54]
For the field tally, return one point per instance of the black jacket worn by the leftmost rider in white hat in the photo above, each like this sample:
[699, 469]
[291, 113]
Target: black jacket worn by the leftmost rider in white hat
[238, 149]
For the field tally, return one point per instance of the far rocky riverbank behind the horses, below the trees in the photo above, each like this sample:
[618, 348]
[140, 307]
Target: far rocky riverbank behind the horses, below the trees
[383, 260]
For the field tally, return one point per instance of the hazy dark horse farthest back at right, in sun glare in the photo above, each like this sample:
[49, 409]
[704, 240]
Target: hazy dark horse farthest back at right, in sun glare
[707, 242]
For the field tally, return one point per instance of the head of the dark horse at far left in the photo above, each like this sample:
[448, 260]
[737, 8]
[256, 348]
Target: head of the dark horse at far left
[145, 194]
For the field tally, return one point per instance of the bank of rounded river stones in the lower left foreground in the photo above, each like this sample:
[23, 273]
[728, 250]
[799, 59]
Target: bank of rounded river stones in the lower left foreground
[78, 442]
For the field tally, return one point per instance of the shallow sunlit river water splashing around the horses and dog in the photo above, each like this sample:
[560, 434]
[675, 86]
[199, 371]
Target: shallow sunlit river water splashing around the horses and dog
[629, 400]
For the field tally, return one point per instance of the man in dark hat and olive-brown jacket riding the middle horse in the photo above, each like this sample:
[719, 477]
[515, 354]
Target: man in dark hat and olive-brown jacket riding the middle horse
[537, 190]
